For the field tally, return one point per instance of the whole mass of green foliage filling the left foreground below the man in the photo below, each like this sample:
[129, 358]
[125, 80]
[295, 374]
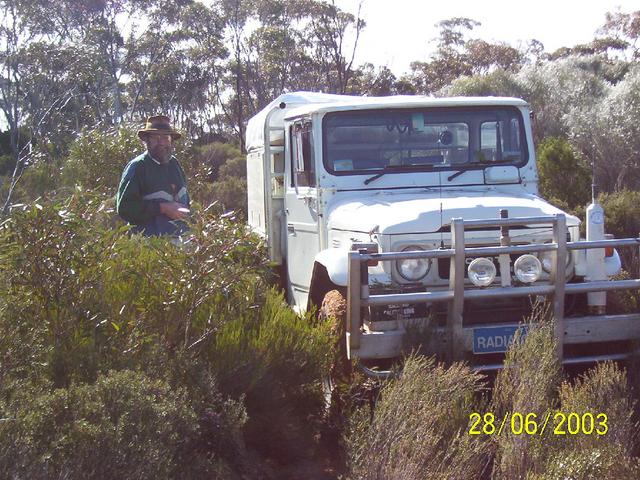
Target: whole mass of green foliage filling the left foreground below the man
[192, 330]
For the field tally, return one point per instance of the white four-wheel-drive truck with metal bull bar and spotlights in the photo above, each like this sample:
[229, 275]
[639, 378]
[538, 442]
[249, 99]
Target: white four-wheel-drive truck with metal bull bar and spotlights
[399, 211]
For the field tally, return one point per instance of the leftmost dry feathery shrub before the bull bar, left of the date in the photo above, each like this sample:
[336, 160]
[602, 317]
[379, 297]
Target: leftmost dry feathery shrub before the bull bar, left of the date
[419, 427]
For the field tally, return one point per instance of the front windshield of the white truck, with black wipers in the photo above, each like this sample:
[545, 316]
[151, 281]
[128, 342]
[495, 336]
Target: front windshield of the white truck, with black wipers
[362, 142]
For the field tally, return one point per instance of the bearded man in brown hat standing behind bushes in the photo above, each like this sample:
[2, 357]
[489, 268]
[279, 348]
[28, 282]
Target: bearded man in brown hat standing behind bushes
[153, 190]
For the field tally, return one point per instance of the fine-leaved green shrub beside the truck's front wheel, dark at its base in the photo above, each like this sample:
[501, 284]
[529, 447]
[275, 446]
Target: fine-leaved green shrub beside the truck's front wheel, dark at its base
[274, 359]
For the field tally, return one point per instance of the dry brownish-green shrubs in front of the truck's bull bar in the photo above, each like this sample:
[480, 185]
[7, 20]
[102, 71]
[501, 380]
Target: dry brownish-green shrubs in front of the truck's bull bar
[420, 425]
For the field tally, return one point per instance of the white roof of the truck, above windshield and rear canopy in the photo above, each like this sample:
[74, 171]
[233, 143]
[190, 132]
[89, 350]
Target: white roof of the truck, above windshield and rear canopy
[295, 104]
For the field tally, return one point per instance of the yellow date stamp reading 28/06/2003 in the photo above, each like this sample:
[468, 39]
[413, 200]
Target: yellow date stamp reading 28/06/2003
[555, 423]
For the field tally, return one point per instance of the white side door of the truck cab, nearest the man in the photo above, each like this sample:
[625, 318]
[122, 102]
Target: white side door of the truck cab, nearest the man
[301, 209]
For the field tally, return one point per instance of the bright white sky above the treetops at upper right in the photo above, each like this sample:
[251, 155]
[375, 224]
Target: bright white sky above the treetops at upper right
[401, 31]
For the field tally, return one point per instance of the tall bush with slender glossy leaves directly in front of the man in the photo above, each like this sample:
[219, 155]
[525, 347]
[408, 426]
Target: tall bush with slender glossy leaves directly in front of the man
[92, 298]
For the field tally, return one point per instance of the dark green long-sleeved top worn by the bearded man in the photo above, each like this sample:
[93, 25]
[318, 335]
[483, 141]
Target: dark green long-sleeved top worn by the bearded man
[144, 185]
